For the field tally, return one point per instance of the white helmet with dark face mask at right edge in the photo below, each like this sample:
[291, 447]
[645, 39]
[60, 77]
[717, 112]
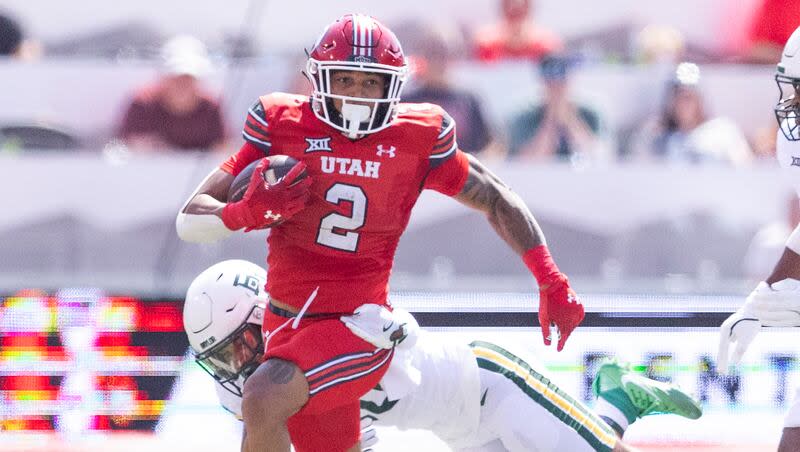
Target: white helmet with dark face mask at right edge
[787, 111]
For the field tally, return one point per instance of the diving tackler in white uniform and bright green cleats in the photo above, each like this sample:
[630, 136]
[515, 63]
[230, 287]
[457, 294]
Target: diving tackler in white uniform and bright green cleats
[476, 397]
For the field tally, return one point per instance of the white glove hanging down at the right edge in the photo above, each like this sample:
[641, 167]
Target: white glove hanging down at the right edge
[777, 305]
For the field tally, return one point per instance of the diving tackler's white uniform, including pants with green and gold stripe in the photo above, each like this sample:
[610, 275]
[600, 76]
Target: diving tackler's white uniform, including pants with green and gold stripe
[479, 397]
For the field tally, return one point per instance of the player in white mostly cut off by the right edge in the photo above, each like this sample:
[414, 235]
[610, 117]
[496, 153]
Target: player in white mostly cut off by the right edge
[776, 300]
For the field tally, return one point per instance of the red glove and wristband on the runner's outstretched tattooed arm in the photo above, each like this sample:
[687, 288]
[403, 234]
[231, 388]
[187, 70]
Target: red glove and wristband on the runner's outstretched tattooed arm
[558, 303]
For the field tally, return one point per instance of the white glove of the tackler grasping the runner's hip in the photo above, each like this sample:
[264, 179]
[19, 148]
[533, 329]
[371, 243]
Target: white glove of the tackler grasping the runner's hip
[376, 325]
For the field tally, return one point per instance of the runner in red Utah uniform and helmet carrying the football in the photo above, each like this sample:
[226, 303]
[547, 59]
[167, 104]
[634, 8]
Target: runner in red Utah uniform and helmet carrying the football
[335, 232]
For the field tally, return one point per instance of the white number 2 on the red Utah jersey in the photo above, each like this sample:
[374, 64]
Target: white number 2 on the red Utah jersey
[337, 230]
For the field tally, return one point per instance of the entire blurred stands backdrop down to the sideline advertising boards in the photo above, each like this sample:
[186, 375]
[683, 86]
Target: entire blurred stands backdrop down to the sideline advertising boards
[641, 135]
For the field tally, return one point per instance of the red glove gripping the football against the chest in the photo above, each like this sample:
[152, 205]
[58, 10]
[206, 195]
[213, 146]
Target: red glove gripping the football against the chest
[264, 205]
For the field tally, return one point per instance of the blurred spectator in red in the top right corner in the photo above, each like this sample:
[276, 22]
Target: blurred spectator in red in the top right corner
[772, 24]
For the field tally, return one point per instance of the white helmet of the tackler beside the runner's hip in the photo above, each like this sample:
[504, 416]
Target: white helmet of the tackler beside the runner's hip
[222, 316]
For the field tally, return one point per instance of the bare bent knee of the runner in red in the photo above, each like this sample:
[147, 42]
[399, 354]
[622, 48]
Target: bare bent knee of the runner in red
[276, 390]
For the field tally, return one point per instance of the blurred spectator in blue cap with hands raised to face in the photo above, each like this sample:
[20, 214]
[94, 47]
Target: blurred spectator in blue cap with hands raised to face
[558, 127]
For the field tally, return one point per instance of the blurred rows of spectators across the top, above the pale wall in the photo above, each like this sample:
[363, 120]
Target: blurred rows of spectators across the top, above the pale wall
[529, 80]
